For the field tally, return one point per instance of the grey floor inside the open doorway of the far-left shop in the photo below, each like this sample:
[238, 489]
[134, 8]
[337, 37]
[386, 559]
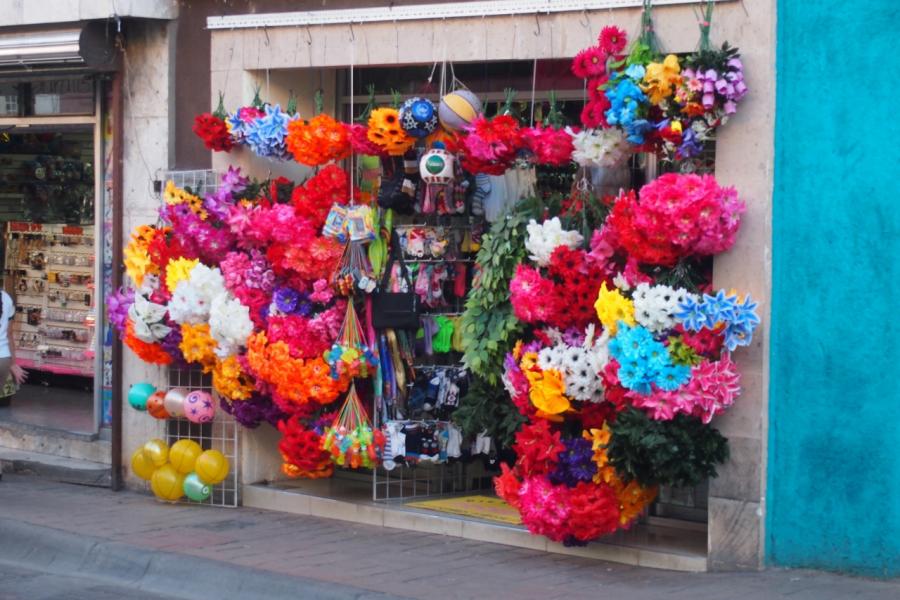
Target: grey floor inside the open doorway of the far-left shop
[53, 407]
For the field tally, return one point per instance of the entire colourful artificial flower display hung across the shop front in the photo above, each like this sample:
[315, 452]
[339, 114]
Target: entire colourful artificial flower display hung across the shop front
[601, 351]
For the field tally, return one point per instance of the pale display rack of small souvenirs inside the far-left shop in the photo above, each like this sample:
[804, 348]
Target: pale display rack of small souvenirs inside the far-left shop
[49, 272]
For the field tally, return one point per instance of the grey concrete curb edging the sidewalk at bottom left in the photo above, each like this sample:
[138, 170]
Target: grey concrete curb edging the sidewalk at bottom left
[164, 573]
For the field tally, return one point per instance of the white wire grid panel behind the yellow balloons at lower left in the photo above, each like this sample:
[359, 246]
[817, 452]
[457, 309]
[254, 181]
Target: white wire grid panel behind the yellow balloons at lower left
[221, 434]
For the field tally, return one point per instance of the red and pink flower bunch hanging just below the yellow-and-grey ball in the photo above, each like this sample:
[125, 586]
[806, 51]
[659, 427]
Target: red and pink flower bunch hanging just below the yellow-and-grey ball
[490, 145]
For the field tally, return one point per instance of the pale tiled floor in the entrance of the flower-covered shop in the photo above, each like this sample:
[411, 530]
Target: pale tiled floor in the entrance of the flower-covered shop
[659, 535]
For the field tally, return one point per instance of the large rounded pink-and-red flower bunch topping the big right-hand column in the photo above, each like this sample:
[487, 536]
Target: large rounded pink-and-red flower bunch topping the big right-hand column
[676, 216]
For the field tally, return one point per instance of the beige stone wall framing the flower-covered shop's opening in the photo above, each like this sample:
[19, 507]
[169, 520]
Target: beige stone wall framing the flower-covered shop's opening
[276, 58]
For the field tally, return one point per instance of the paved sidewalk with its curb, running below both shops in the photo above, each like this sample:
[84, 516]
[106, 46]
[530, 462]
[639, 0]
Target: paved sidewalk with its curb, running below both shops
[191, 551]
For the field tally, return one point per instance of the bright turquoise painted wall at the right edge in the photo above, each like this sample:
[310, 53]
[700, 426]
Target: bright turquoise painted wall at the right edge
[833, 498]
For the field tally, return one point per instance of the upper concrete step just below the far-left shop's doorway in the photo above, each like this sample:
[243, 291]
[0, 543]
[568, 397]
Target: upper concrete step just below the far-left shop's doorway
[55, 442]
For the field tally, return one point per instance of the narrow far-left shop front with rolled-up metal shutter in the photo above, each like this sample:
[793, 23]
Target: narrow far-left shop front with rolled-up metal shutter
[54, 158]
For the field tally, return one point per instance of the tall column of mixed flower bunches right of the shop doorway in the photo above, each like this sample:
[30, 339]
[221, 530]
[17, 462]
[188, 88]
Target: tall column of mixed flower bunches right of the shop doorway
[607, 398]
